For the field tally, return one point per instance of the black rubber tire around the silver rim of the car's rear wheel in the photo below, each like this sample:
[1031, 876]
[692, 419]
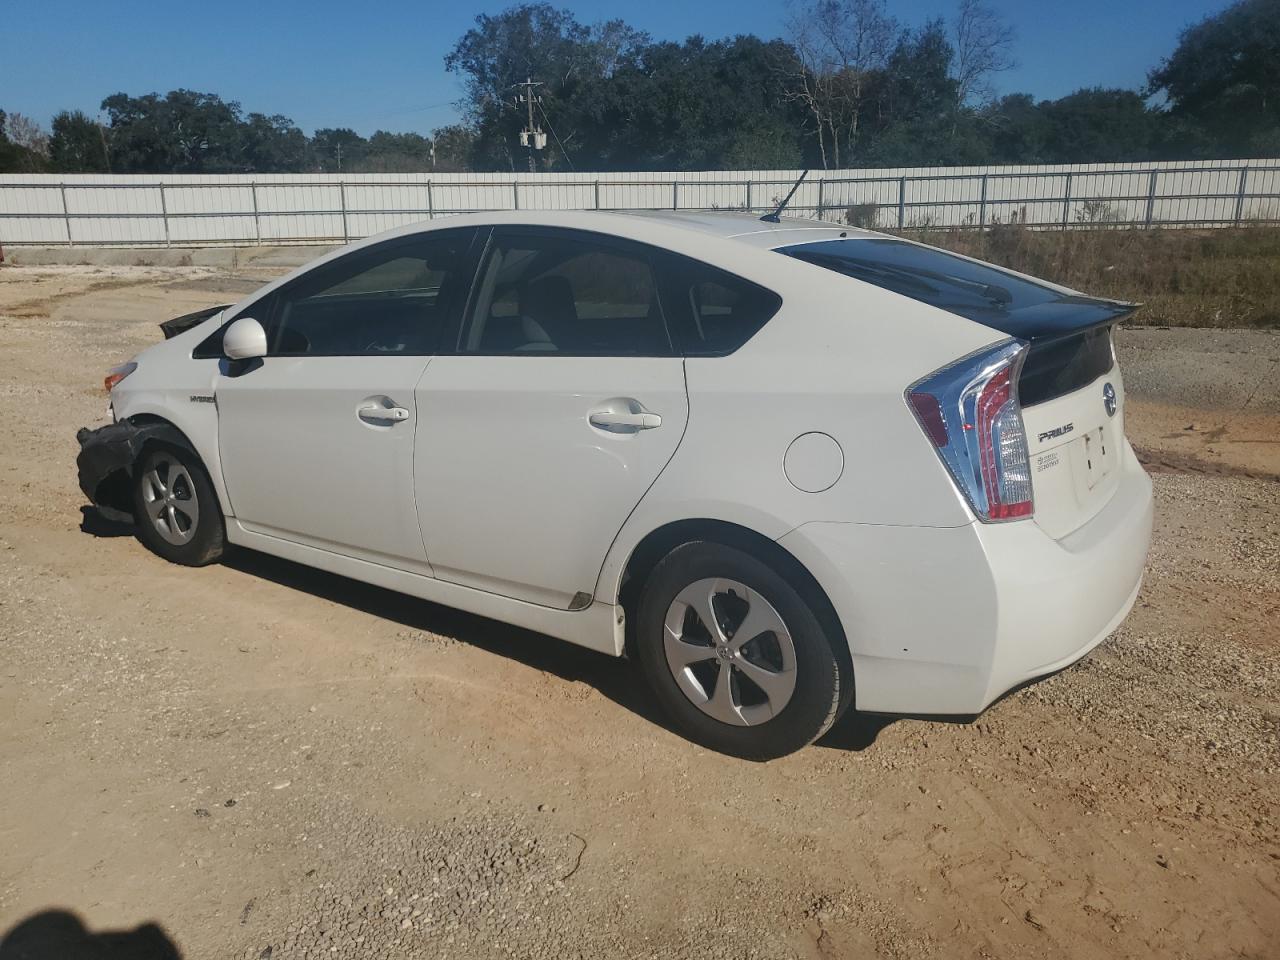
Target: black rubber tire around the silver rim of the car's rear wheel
[822, 682]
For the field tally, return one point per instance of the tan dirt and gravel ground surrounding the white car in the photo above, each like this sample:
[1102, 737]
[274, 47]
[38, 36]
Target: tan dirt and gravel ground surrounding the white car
[260, 761]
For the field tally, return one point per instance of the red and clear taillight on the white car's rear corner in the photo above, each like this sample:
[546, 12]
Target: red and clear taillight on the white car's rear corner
[971, 413]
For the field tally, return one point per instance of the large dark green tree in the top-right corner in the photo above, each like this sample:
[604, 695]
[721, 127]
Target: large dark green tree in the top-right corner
[1226, 76]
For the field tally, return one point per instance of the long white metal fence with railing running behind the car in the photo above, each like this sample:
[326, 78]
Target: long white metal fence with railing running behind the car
[236, 209]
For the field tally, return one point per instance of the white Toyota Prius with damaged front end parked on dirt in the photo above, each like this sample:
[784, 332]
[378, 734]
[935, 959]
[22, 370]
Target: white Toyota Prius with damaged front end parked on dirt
[789, 468]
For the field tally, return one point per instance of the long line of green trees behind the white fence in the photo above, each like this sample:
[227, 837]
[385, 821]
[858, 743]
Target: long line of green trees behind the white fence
[852, 88]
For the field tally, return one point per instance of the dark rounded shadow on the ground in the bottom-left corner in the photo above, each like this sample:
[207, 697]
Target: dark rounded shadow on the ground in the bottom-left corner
[61, 935]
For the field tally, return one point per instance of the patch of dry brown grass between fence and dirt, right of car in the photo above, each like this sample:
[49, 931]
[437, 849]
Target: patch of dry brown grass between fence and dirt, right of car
[1185, 278]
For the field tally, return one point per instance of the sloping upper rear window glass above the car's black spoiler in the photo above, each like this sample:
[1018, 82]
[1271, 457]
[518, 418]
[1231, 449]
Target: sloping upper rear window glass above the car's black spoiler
[975, 291]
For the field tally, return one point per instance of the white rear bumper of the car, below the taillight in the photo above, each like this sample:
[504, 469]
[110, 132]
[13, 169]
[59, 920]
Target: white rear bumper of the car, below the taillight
[943, 621]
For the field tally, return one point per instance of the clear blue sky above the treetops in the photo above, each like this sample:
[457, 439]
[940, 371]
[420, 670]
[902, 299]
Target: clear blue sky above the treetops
[381, 65]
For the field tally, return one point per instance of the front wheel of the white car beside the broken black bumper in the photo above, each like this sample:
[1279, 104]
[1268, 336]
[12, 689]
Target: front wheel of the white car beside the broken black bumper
[195, 545]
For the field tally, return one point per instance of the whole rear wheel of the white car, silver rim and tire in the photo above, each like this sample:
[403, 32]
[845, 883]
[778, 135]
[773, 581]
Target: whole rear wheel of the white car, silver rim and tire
[735, 655]
